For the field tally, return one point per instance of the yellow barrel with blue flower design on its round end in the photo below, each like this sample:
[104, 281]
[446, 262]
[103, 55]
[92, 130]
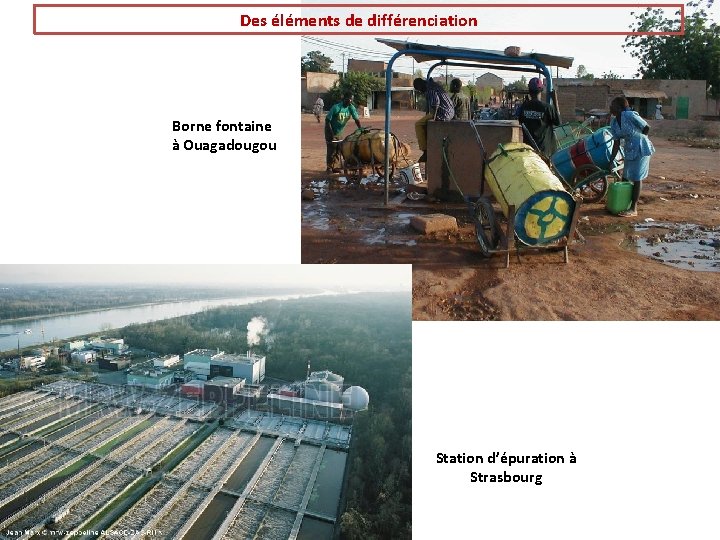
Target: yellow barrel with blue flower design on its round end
[519, 177]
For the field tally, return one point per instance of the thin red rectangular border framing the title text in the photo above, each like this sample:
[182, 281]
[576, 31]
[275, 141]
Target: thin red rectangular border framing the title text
[680, 7]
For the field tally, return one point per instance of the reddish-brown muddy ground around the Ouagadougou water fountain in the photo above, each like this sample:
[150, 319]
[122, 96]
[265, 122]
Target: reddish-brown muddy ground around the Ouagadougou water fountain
[662, 265]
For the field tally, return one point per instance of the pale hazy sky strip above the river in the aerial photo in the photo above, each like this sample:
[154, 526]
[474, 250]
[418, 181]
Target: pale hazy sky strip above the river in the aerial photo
[330, 276]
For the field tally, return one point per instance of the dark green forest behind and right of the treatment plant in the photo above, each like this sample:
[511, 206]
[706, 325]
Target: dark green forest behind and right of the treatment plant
[367, 339]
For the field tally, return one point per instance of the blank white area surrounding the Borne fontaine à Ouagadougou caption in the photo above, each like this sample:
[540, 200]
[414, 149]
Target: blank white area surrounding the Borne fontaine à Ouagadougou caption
[87, 162]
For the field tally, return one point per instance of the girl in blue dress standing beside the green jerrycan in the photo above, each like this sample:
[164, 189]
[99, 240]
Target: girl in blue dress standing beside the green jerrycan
[628, 125]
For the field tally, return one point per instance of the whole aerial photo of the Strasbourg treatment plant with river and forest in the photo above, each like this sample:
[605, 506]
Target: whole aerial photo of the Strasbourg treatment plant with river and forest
[217, 411]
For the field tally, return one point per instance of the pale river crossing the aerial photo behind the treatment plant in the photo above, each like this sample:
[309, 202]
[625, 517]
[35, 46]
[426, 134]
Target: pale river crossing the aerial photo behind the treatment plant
[60, 327]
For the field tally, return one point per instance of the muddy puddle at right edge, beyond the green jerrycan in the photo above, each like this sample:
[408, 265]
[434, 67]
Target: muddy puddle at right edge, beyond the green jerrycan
[682, 245]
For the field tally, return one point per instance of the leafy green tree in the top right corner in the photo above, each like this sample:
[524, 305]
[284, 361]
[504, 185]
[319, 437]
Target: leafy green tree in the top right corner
[693, 55]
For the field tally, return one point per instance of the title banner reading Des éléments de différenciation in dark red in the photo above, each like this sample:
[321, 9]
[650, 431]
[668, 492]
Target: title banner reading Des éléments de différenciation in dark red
[345, 19]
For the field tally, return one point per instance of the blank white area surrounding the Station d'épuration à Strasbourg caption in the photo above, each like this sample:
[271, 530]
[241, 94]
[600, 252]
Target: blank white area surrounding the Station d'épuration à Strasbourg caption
[637, 404]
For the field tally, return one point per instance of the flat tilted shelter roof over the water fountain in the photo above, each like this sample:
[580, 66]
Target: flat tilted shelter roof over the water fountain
[435, 52]
